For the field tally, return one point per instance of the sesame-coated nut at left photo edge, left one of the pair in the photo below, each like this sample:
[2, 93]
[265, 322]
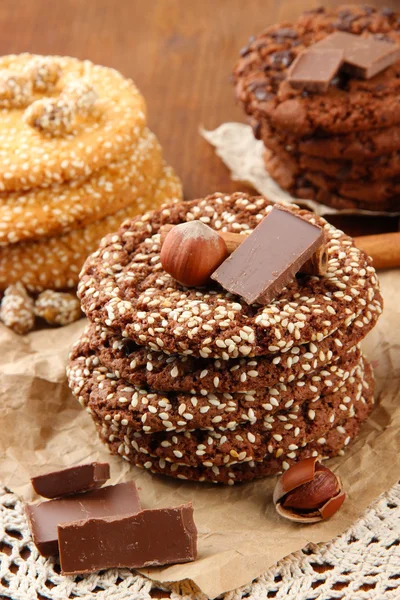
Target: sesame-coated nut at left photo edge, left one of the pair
[17, 309]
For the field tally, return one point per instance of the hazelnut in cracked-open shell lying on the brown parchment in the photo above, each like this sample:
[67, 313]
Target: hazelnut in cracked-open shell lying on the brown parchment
[308, 492]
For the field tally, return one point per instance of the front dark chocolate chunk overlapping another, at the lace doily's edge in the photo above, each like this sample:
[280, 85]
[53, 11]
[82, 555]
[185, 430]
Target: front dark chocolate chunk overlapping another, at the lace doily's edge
[150, 538]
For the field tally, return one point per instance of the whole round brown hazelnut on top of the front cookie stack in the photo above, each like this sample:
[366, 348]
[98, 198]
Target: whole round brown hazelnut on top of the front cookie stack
[191, 252]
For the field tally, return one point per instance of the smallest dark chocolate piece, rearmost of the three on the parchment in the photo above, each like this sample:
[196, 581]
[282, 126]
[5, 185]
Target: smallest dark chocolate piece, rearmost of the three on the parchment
[81, 478]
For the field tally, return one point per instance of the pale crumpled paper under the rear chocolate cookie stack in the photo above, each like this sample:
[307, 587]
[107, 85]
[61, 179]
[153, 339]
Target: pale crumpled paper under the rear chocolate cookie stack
[236, 145]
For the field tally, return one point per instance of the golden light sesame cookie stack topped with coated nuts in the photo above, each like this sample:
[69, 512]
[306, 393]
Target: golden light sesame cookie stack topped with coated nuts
[76, 159]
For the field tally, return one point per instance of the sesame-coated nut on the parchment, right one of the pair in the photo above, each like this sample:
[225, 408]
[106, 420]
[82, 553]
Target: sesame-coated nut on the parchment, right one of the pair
[58, 308]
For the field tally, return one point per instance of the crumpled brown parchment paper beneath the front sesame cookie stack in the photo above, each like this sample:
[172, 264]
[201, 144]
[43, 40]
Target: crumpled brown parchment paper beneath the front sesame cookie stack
[42, 427]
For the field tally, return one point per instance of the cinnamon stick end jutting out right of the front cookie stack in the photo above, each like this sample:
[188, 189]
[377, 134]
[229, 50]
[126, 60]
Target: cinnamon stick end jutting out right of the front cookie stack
[384, 249]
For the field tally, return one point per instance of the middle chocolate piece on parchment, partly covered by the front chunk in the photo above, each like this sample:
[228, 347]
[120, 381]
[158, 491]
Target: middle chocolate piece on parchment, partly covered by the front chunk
[44, 518]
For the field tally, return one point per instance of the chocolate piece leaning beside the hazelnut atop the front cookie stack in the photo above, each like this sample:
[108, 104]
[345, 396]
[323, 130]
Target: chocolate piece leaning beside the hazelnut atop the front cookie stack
[269, 258]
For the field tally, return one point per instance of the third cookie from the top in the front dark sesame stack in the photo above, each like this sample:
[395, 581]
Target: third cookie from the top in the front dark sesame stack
[151, 411]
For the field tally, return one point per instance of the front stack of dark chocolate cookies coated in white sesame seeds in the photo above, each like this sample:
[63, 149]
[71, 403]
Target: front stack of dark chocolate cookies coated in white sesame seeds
[195, 383]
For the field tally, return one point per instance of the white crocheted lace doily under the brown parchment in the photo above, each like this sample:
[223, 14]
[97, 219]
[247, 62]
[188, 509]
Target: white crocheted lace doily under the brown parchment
[361, 564]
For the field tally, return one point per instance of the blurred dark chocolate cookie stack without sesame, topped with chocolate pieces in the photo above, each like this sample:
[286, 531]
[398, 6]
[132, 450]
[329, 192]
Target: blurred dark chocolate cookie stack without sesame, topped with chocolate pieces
[334, 139]
